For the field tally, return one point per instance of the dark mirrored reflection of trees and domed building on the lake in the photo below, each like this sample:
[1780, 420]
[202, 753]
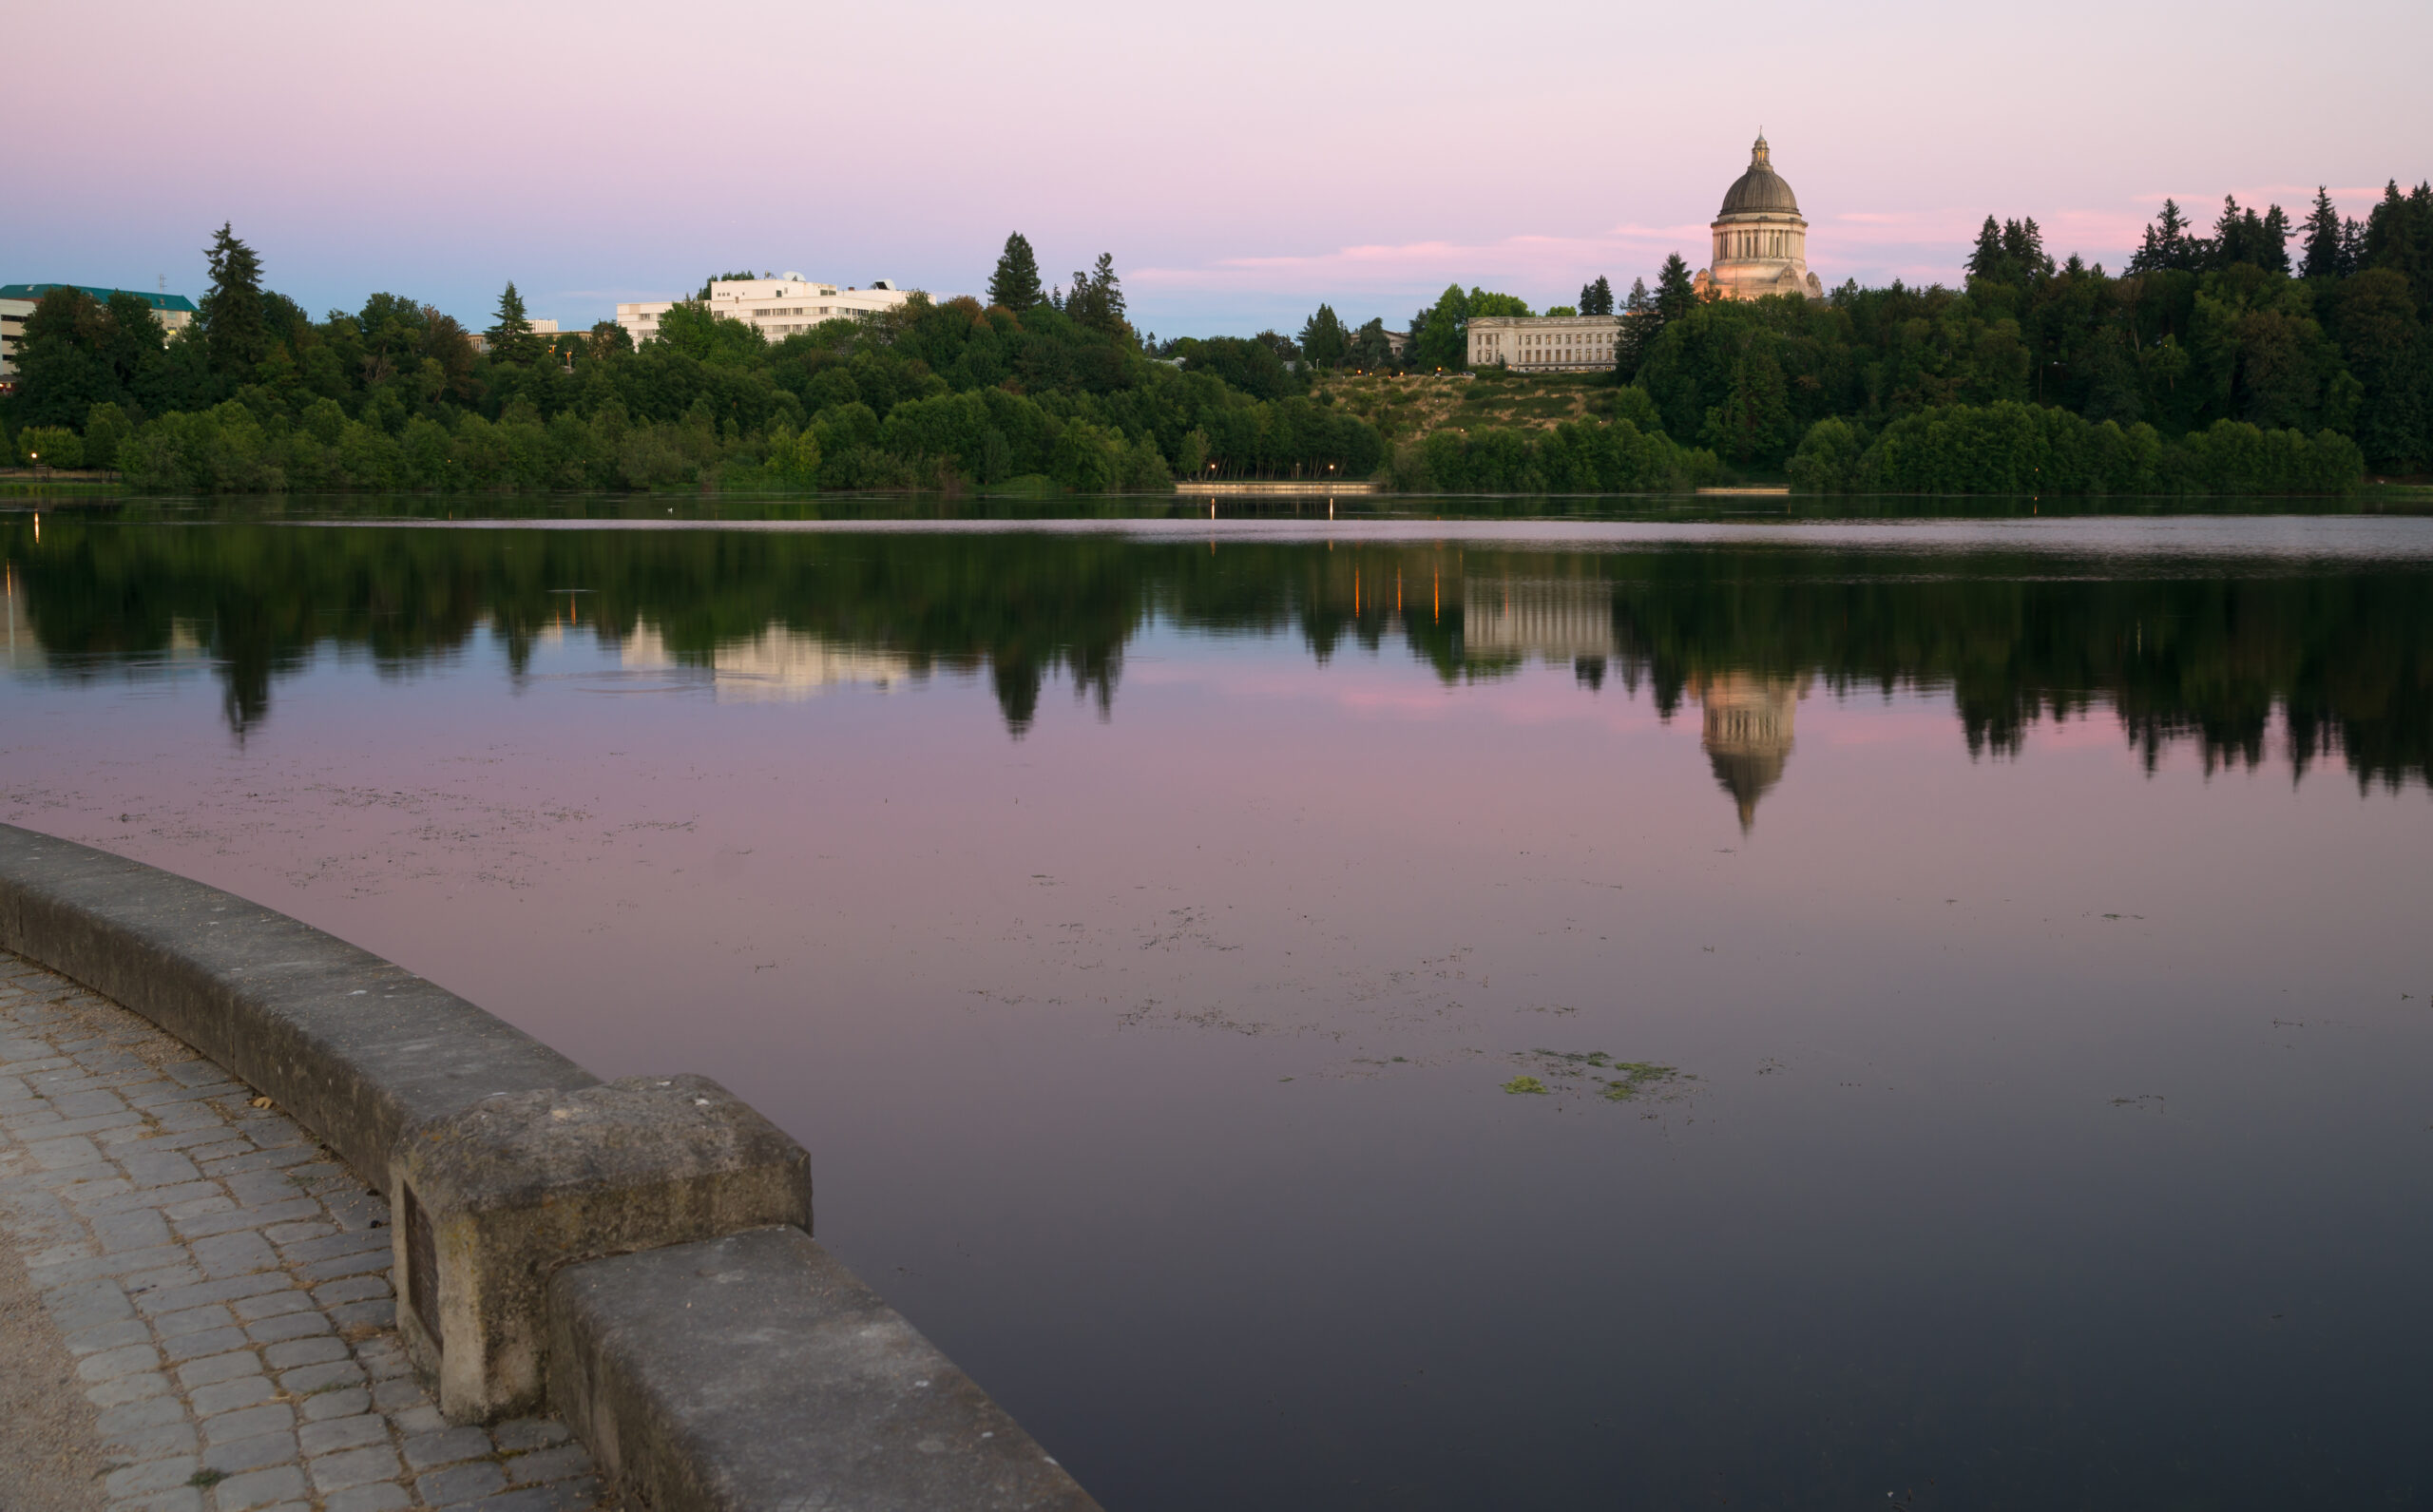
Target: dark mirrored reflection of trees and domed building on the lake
[2247, 659]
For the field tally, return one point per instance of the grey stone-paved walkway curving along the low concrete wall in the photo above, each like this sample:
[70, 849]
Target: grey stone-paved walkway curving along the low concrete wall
[225, 1287]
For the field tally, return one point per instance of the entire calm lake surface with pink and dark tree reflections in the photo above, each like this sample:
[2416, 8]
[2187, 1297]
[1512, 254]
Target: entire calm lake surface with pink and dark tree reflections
[1979, 970]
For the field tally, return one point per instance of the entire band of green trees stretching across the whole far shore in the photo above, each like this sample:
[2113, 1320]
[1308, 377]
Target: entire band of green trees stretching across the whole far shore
[2261, 357]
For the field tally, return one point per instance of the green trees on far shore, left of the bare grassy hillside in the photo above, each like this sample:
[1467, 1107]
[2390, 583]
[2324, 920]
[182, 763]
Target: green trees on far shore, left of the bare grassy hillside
[1043, 386]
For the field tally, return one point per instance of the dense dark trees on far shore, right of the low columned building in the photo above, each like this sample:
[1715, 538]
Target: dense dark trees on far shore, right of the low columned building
[2208, 364]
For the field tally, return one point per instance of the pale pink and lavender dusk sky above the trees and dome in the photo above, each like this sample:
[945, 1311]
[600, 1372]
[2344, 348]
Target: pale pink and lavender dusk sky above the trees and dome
[1242, 162]
